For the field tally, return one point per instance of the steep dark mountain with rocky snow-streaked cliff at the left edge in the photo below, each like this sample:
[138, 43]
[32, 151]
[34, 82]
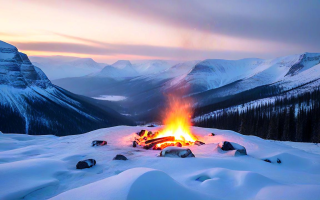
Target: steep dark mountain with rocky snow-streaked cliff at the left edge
[31, 104]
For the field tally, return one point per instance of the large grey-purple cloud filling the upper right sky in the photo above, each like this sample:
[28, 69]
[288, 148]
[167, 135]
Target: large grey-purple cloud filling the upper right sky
[287, 21]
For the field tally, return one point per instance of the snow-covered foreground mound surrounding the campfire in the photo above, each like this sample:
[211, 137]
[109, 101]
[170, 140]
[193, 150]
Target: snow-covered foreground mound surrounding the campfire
[42, 167]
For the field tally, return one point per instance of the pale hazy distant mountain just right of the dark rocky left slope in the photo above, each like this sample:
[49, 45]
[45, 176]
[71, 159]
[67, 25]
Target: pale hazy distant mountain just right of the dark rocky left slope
[62, 66]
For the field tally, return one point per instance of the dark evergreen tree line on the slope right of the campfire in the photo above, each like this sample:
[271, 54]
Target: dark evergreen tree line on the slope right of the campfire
[289, 118]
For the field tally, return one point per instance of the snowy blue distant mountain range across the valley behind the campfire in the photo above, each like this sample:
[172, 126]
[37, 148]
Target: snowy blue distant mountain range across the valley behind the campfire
[208, 81]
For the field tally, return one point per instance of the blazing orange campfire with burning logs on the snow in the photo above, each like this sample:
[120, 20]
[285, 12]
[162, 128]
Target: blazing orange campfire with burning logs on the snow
[176, 131]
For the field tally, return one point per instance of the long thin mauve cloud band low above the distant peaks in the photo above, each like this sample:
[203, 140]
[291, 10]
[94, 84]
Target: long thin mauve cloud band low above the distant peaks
[103, 49]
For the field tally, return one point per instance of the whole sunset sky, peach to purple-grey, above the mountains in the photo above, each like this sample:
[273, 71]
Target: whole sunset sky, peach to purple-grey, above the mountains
[110, 30]
